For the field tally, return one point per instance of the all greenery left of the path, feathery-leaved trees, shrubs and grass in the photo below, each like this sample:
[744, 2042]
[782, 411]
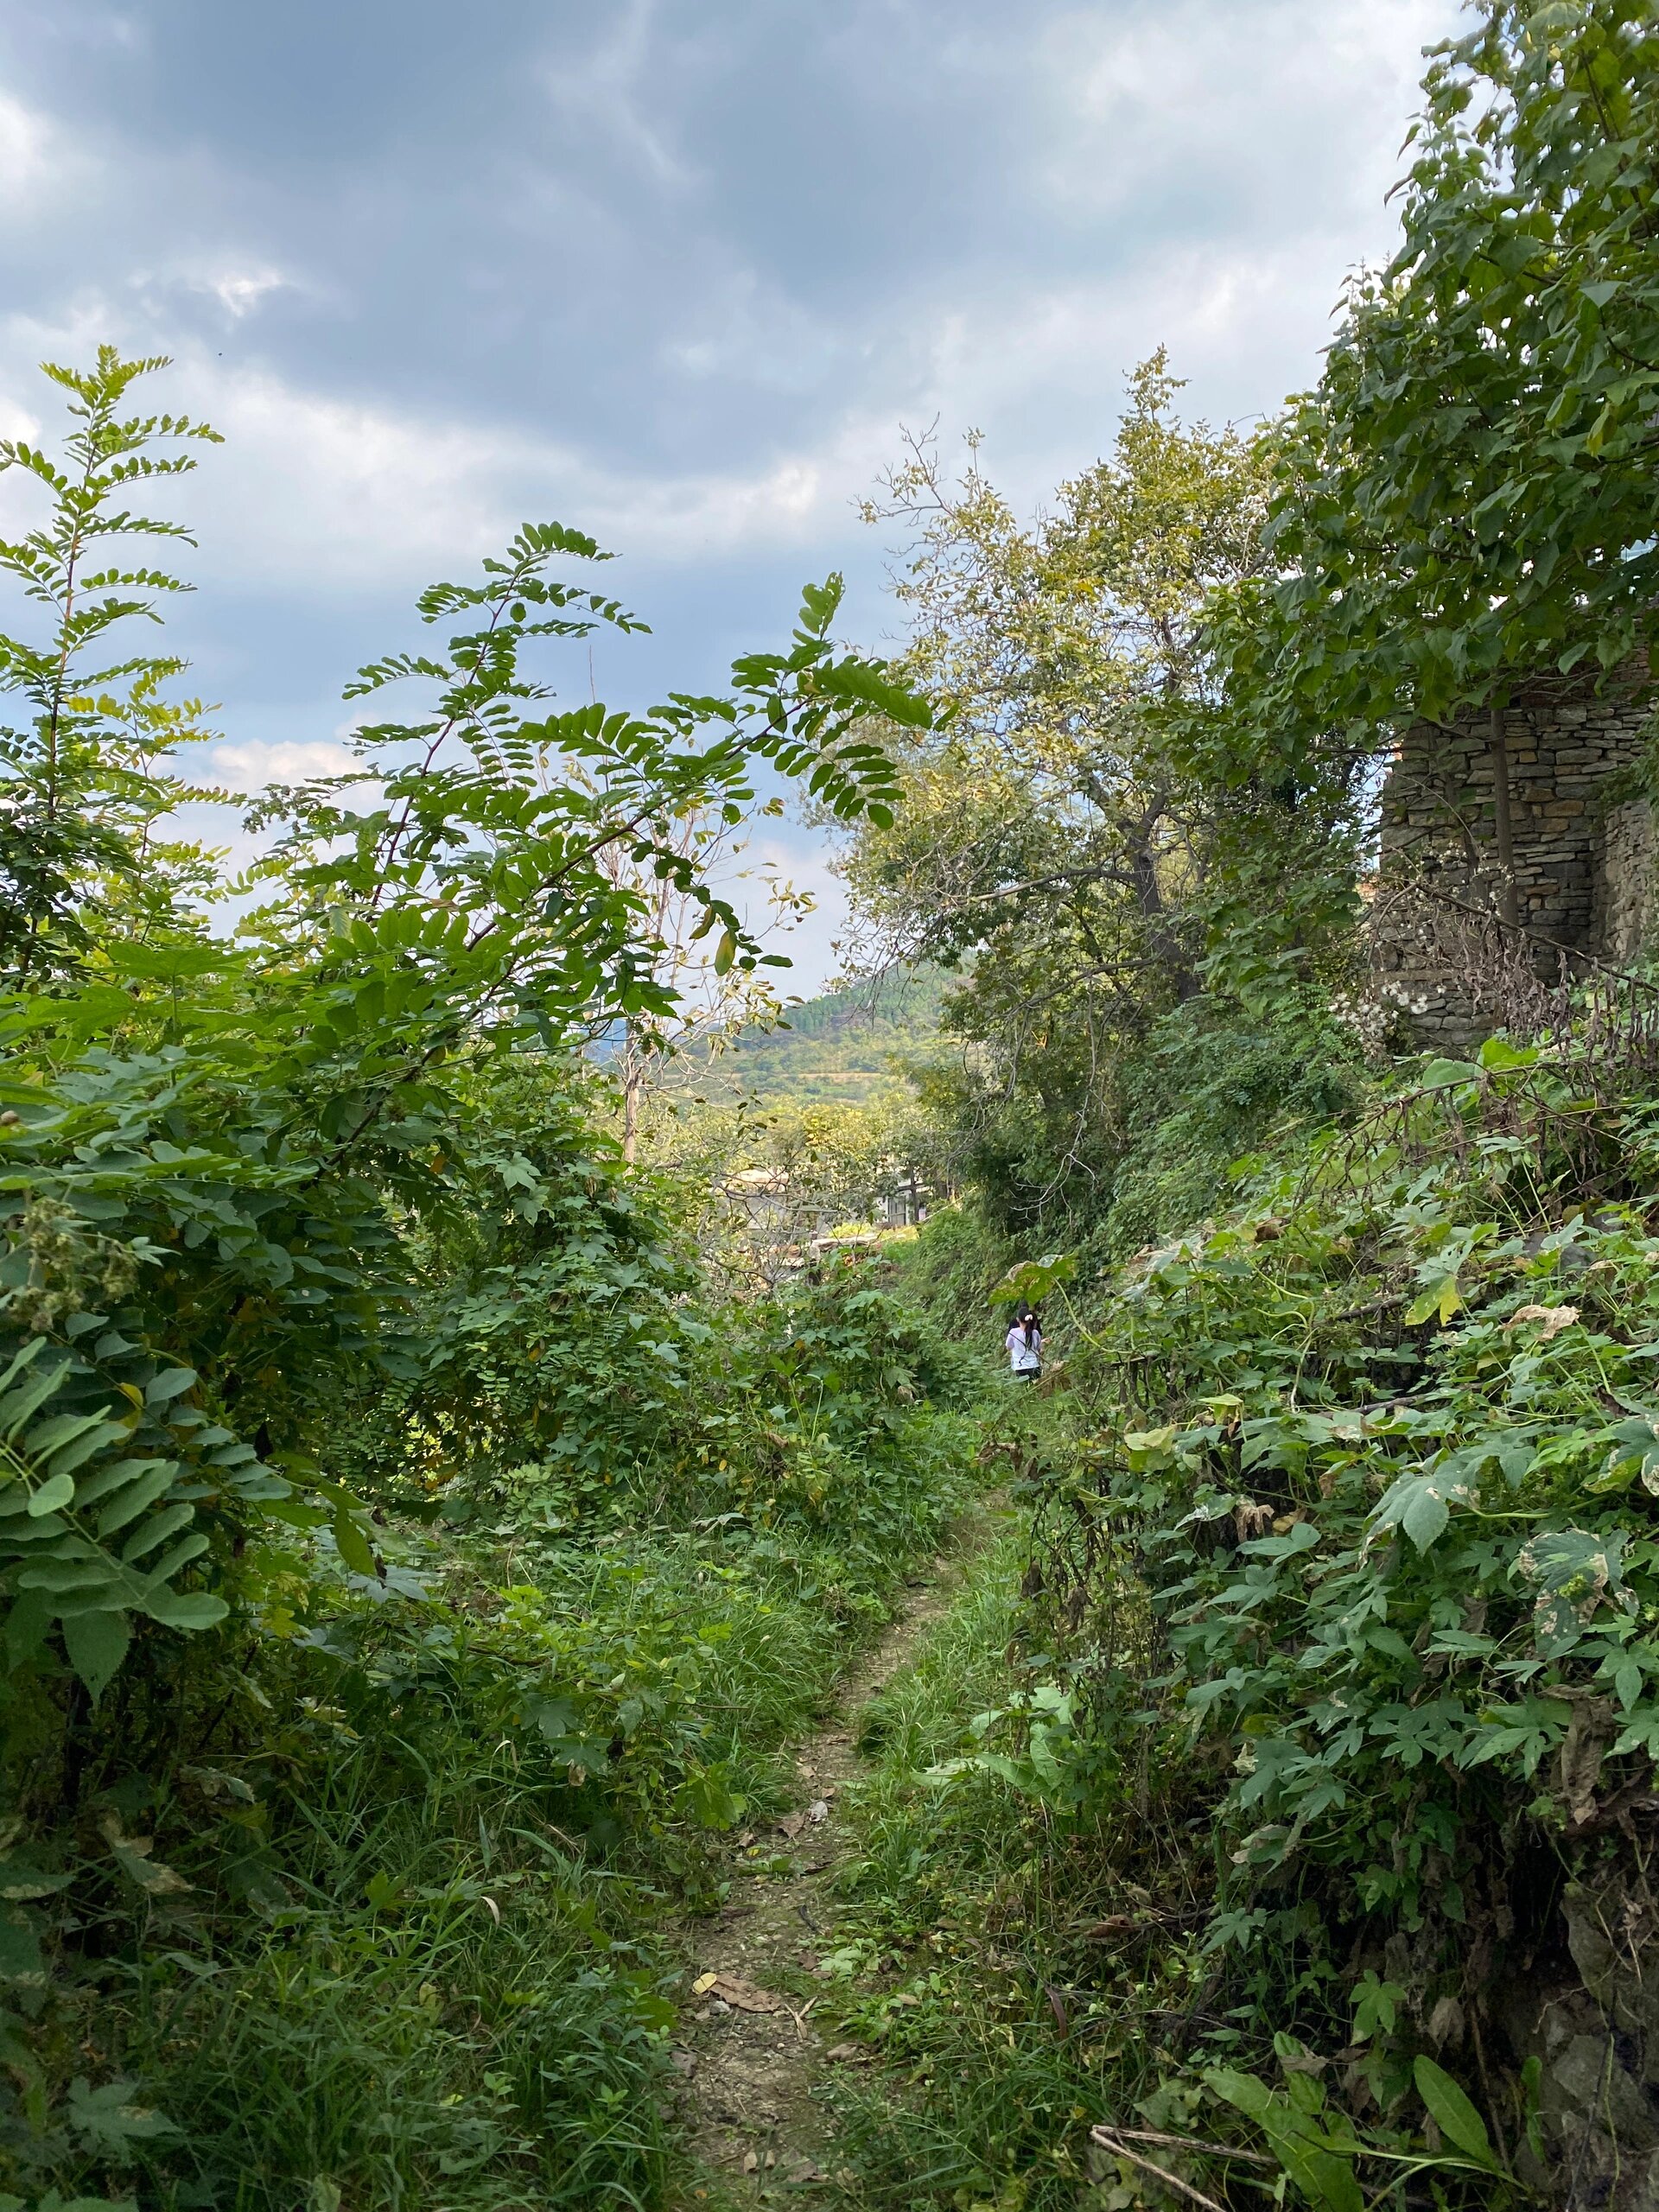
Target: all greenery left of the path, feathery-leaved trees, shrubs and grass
[410, 1561]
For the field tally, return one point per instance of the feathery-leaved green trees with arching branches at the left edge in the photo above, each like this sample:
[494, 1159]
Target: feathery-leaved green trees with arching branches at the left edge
[222, 1160]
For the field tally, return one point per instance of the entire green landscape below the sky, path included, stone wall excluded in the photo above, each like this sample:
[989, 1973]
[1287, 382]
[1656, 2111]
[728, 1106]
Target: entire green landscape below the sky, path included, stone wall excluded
[545, 1662]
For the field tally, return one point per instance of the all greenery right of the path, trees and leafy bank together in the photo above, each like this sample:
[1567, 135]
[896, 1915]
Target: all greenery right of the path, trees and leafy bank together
[1300, 1844]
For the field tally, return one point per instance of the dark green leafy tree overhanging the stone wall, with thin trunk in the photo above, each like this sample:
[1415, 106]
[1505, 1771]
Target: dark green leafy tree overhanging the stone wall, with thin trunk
[1465, 503]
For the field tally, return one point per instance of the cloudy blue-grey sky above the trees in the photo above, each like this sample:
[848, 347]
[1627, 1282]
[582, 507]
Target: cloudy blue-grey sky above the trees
[671, 271]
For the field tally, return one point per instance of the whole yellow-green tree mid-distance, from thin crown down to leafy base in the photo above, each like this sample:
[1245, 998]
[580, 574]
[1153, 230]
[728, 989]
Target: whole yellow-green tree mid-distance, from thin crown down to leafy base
[1061, 828]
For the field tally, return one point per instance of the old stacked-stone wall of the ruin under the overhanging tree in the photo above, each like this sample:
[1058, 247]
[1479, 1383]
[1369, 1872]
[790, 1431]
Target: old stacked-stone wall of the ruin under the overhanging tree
[1583, 851]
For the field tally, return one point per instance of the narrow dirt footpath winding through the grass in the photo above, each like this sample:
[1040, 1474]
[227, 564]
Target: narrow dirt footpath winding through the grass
[751, 2049]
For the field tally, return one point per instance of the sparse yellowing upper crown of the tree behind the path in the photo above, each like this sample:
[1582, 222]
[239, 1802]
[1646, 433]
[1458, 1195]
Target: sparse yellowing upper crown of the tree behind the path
[1052, 800]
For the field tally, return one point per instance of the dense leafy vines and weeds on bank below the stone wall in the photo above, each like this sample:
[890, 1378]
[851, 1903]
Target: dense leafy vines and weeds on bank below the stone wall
[1317, 1788]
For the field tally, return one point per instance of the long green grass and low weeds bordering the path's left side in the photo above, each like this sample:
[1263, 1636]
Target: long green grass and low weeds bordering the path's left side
[384, 1908]
